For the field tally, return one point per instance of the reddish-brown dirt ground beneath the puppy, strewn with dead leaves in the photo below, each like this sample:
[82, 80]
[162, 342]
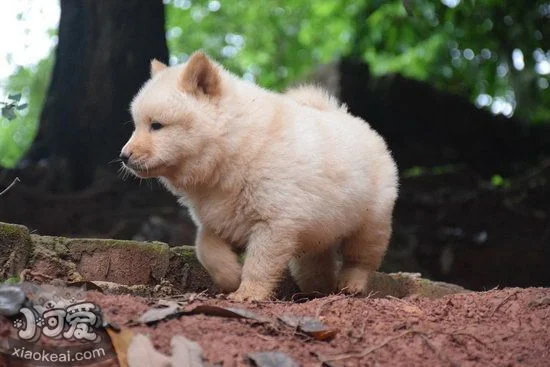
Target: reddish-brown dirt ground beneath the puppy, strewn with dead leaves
[509, 327]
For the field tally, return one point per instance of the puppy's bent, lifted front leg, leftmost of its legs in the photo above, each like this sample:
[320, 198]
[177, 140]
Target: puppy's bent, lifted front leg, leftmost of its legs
[219, 260]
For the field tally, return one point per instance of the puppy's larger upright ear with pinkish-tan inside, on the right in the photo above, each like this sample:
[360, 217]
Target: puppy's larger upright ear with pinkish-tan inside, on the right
[200, 76]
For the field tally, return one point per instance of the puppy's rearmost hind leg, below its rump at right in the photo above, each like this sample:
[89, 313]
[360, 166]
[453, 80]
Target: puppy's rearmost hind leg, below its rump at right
[363, 252]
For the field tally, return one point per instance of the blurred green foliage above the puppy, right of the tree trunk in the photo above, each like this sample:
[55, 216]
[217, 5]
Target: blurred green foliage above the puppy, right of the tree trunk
[464, 47]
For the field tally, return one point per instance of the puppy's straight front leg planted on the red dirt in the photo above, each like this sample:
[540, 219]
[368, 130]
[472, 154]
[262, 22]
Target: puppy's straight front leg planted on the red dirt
[268, 253]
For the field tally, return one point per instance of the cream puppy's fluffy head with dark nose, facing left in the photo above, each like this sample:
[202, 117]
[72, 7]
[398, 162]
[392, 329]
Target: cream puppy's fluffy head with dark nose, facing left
[174, 116]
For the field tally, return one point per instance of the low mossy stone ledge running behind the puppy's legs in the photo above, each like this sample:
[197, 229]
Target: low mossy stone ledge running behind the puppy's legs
[148, 264]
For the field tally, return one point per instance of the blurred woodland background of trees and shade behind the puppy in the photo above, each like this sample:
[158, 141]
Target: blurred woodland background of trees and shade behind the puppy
[459, 88]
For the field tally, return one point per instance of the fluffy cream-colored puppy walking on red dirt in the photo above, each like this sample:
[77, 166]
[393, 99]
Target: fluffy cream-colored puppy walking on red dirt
[285, 176]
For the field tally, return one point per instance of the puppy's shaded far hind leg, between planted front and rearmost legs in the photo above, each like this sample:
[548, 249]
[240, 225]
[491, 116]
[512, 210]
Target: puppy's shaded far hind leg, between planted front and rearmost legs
[315, 272]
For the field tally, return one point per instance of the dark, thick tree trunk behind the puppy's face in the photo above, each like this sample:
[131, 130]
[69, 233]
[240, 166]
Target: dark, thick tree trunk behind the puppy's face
[102, 58]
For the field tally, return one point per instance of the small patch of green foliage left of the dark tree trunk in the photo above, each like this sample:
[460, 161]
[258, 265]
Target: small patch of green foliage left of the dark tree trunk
[18, 132]
